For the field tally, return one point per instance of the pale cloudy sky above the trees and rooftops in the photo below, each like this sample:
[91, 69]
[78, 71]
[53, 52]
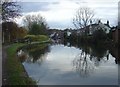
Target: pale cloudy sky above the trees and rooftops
[60, 13]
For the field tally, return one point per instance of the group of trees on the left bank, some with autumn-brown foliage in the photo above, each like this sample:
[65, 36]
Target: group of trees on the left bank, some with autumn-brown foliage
[33, 24]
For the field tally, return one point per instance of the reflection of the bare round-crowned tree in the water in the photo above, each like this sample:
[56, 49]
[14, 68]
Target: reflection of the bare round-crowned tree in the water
[83, 65]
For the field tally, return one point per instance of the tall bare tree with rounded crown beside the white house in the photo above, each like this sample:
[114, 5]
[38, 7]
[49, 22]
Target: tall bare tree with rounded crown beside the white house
[83, 17]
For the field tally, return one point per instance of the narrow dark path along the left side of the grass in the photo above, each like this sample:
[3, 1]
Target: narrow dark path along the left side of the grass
[4, 70]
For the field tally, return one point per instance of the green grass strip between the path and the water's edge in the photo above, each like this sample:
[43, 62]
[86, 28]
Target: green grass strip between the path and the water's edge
[15, 70]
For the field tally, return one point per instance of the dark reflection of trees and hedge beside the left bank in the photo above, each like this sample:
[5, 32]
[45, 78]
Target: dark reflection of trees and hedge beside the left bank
[33, 54]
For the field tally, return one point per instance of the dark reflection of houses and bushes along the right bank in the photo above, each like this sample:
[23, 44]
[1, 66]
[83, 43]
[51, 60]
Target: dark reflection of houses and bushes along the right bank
[100, 53]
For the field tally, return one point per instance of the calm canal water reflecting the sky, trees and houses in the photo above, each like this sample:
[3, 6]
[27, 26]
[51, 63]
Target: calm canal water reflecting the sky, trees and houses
[59, 64]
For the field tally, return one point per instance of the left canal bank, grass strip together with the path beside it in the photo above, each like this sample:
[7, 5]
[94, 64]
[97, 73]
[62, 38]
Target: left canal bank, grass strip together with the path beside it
[13, 71]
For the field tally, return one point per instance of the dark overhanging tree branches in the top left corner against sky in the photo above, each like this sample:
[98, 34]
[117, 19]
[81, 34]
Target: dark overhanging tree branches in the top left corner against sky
[10, 10]
